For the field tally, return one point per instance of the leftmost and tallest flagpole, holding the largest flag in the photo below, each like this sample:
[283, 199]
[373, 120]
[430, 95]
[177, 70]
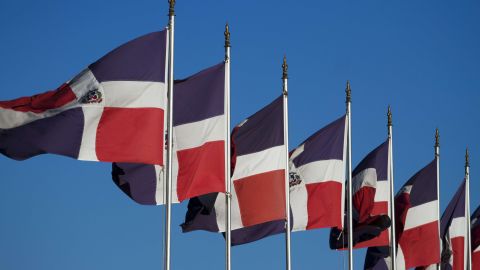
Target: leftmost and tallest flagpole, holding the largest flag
[168, 214]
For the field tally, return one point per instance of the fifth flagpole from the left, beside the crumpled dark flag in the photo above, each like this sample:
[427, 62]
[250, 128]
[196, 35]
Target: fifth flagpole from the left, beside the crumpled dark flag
[393, 242]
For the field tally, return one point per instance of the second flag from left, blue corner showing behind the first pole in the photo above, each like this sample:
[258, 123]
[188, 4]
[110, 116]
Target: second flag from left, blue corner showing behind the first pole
[199, 131]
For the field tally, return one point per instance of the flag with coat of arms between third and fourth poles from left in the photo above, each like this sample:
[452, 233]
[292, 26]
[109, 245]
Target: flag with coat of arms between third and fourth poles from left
[317, 177]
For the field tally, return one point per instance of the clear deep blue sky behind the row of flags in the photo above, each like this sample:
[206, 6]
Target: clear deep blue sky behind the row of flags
[422, 57]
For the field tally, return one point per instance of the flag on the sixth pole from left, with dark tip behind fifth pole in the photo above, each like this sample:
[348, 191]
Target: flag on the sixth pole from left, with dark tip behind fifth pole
[417, 224]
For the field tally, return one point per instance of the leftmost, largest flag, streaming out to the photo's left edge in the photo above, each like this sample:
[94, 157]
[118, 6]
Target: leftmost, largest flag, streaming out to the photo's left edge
[112, 111]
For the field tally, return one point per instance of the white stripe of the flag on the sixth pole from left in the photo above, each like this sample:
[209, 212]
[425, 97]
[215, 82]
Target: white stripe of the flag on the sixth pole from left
[421, 215]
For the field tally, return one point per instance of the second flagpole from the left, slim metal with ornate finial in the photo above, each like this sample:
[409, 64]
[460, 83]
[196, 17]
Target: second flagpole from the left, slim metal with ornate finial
[228, 187]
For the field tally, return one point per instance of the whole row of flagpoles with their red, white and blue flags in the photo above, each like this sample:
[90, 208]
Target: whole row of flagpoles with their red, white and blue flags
[202, 157]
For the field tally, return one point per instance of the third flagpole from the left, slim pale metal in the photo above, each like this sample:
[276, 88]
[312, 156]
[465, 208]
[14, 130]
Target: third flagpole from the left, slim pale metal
[287, 174]
